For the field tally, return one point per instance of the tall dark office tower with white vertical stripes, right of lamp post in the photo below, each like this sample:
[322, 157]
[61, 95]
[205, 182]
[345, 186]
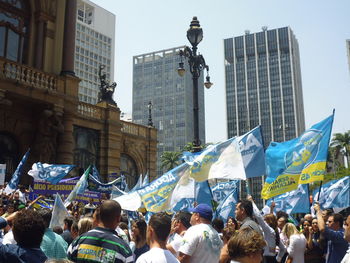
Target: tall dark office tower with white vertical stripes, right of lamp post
[263, 86]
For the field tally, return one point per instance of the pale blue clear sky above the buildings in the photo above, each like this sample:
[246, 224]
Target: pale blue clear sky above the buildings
[320, 26]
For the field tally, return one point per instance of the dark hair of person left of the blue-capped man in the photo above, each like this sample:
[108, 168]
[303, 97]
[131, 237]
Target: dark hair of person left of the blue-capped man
[161, 224]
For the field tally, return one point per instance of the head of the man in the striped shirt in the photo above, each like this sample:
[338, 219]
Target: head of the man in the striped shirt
[110, 211]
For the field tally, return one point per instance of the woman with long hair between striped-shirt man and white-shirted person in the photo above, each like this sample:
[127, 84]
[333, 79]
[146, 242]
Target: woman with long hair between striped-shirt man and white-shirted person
[139, 245]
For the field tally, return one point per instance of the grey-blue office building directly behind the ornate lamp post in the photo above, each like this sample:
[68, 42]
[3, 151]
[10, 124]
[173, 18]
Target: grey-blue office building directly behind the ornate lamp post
[155, 79]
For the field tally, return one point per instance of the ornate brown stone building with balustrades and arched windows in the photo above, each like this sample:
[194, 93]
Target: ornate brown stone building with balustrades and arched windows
[39, 106]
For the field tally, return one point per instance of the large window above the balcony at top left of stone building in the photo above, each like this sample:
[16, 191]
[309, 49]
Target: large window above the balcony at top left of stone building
[14, 27]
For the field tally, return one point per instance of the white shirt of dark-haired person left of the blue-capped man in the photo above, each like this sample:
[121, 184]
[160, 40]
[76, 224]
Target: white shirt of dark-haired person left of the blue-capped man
[157, 255]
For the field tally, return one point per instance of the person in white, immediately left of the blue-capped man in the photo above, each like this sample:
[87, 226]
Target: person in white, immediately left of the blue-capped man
[179, 226]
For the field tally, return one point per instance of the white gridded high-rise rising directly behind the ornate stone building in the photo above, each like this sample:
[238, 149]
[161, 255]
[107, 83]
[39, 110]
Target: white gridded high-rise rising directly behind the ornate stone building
[94, 46]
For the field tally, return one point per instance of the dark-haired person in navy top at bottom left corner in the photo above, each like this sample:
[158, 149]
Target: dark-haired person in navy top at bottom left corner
[28, 230]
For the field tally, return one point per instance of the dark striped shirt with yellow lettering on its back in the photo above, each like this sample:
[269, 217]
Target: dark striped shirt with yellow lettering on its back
[100, 245]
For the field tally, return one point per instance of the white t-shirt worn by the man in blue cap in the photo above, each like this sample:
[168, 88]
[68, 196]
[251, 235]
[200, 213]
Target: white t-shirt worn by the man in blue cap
[202, 243]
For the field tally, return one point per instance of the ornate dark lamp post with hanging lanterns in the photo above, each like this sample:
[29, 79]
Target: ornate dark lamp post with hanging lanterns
[197, 65]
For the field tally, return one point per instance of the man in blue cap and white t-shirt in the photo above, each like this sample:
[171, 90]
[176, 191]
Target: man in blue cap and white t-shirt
[201, 243]
